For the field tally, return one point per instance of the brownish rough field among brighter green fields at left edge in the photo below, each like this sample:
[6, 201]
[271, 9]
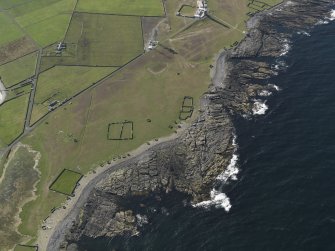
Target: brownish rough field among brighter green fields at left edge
[16, 49]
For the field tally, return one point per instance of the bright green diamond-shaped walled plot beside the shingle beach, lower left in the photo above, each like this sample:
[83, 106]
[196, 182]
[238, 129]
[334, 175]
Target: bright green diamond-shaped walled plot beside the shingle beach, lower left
[66, 182]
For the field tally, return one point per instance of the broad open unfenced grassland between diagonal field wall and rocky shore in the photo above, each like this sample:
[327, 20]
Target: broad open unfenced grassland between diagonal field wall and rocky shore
[153, 87]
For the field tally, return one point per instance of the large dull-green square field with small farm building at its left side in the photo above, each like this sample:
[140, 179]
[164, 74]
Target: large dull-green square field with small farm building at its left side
[117, 40]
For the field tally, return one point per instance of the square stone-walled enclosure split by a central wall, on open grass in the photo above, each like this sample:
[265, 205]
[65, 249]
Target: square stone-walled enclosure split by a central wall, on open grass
[120, 131]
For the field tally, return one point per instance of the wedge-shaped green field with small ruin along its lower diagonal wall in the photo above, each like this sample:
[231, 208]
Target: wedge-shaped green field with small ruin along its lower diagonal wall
[61, 83]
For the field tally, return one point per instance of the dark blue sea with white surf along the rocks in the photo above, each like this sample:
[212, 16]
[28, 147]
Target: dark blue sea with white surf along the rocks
[284, 198]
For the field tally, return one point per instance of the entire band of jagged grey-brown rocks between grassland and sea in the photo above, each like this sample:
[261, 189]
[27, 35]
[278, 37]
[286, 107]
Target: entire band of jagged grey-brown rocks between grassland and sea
[191, 163]
